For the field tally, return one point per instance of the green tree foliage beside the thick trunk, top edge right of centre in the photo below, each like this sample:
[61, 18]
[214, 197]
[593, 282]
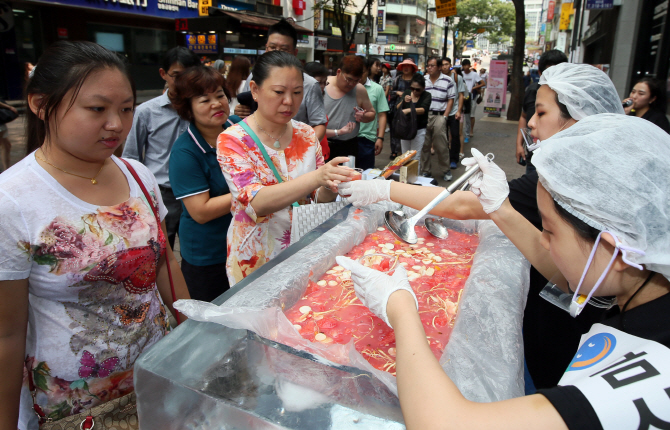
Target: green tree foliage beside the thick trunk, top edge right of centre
[496, 16]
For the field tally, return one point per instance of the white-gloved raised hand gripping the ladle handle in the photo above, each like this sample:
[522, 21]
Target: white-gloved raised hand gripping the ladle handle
[489, 184]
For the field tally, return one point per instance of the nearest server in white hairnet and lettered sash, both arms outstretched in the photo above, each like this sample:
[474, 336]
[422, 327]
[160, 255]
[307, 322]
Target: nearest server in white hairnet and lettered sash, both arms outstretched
[606, 232]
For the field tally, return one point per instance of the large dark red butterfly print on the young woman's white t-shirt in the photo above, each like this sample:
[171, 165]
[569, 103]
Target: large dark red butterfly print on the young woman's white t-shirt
[134, 268]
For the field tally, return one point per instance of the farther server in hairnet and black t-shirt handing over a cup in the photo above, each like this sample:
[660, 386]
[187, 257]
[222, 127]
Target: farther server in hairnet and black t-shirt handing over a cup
[568, 93]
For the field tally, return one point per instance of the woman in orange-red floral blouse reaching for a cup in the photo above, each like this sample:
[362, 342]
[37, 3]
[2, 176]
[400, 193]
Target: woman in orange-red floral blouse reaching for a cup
[261, 205]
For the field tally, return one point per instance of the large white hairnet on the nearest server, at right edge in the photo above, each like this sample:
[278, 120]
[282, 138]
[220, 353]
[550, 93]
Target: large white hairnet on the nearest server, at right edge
[613, 172]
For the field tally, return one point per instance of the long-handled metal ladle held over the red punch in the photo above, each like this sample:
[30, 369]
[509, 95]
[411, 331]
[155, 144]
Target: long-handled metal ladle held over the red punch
[403, 227]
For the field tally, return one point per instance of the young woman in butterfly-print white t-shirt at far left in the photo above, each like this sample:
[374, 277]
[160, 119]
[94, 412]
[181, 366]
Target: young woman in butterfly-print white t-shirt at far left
[83, 274]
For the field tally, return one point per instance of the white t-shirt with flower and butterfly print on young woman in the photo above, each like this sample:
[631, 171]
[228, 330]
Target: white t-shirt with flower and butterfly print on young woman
[93, 301]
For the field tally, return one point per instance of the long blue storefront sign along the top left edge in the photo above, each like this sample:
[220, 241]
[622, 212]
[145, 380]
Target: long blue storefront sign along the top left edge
[161, 8]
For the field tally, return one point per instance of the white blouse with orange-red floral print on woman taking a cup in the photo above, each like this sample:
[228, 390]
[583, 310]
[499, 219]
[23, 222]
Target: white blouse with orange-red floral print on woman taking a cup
[254, 240]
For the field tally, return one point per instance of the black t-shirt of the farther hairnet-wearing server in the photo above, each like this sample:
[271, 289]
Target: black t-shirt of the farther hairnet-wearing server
[550, 335]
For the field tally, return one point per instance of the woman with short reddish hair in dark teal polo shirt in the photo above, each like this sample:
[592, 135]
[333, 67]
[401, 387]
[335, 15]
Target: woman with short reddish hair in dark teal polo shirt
[196, 179]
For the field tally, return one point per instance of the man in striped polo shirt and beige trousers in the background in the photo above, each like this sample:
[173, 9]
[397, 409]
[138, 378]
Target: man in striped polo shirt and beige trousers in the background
[442, 91]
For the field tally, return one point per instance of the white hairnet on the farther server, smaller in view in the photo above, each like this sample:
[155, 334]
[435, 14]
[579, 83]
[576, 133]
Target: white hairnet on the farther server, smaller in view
[583, 89]
